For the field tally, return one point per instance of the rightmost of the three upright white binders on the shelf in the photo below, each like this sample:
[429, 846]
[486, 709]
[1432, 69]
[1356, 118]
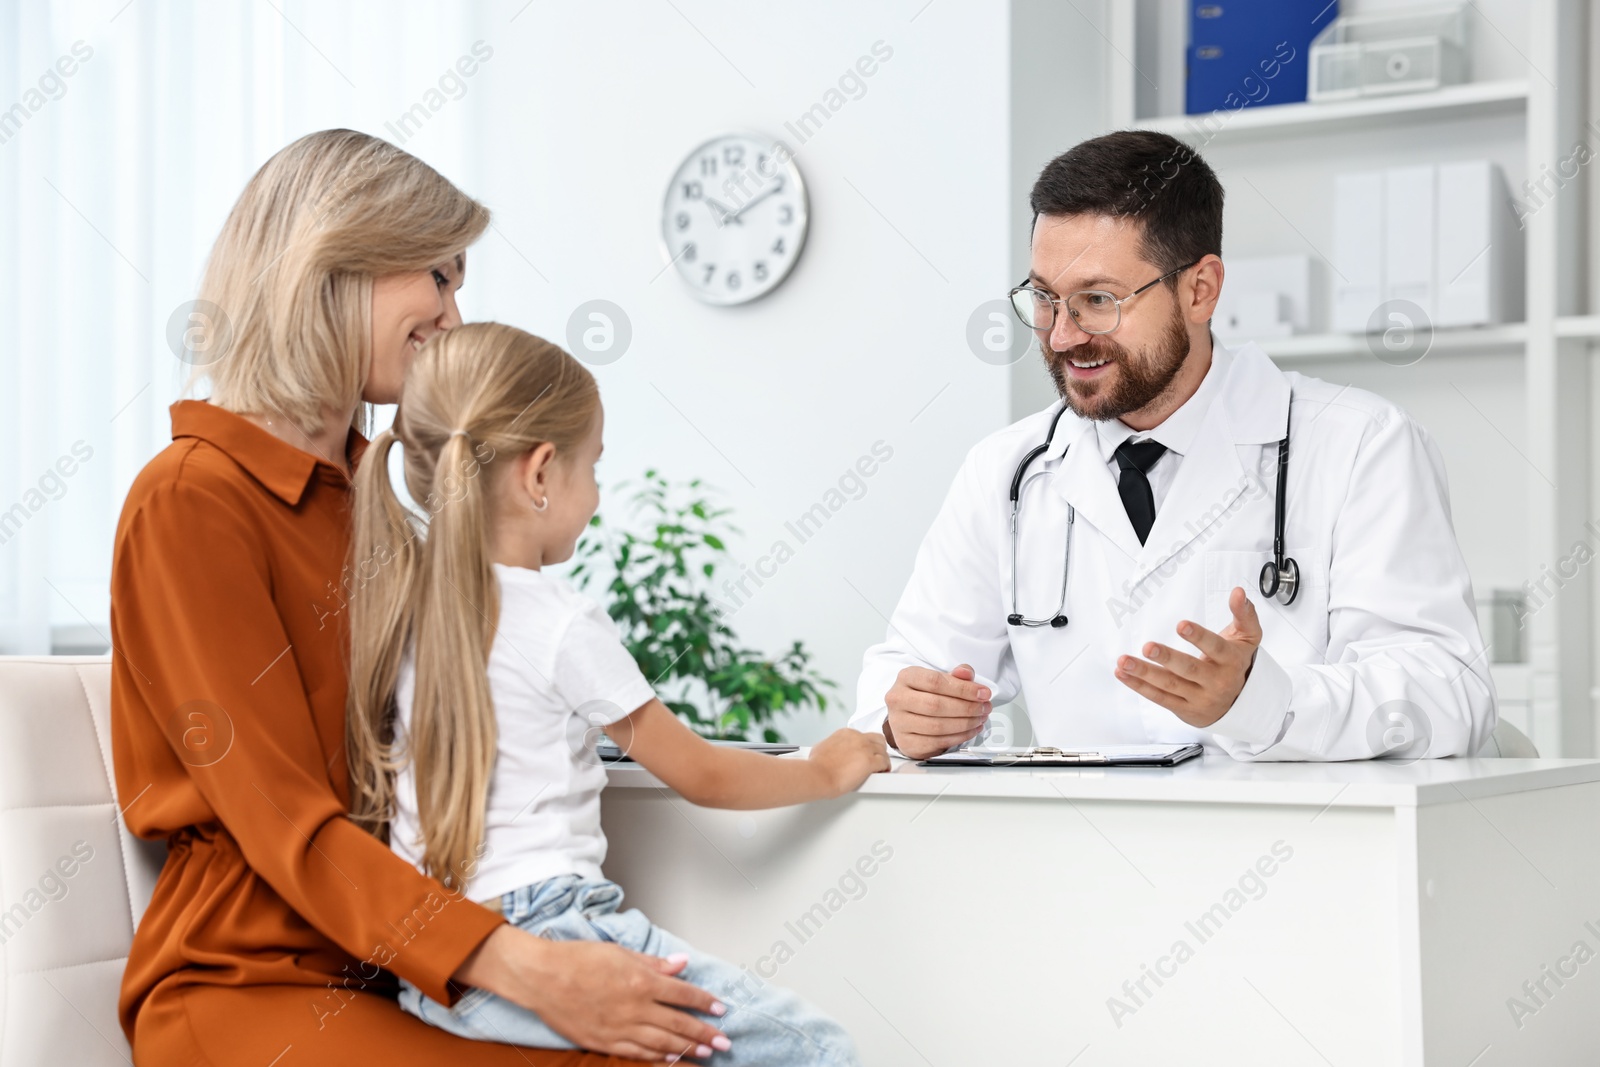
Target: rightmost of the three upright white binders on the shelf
[1479, 247]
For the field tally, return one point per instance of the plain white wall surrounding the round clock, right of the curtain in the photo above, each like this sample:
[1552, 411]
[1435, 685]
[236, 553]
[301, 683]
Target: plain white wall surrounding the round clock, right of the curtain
[582, 119]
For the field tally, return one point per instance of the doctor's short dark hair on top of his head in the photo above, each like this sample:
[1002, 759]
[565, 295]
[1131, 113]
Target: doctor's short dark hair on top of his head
[1140, 175]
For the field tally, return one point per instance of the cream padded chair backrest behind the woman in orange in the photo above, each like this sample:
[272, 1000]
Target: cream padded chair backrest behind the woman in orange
[73, 881]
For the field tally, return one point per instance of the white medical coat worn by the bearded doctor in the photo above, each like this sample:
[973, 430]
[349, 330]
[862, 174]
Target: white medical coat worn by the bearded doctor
[1378, 655]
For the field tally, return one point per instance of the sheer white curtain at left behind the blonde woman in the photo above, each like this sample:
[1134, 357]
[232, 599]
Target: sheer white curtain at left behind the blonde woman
[127, 130]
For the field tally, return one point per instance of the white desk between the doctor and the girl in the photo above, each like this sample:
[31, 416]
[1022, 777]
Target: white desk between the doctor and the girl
[1006, 909]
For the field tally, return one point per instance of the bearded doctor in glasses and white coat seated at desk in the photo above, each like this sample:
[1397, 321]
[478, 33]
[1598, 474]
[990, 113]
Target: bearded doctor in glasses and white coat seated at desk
[1150, 602]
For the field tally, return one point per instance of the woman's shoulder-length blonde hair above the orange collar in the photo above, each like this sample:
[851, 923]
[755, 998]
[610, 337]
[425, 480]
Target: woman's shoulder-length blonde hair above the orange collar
[292, 273]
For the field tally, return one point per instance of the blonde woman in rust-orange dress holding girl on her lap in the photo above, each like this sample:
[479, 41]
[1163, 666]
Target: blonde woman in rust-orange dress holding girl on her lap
[278, 925]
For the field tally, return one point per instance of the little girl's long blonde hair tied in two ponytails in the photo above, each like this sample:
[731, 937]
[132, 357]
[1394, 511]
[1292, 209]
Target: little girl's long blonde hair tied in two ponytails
[476, 398]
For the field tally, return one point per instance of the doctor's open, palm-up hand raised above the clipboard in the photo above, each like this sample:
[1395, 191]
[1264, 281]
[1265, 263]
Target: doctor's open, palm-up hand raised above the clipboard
[1199, 689]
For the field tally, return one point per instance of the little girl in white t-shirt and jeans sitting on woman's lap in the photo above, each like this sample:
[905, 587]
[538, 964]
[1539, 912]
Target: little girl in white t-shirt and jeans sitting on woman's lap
[478, 682]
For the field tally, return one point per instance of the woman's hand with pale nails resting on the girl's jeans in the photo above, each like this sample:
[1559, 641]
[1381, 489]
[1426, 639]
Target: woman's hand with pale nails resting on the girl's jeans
[599, 996]
